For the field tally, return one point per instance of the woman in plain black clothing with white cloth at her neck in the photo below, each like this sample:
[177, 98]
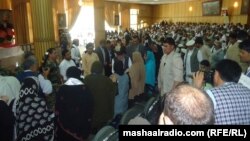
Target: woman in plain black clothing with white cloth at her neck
[73, 108]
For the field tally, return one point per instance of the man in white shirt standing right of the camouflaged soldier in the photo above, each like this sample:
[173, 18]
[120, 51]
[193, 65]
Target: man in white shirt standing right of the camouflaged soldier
[66, 63]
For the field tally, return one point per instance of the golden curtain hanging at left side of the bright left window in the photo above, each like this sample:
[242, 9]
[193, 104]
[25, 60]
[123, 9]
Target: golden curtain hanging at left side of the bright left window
[73, 12]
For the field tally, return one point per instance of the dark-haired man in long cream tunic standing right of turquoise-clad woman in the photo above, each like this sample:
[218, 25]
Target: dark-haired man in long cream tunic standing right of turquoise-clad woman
[171, 67]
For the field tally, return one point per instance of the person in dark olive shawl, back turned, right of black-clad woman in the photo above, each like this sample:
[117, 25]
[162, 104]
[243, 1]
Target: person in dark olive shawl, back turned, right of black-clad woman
[103, 91]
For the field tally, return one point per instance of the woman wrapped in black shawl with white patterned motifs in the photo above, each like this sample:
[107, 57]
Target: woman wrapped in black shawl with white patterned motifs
[33, 120]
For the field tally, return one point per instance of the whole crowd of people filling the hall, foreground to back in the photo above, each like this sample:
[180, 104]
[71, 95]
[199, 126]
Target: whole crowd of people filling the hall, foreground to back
[194, 68]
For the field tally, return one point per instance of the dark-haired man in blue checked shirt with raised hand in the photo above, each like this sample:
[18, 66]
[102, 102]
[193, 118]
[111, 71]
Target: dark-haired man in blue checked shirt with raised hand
[231, 99]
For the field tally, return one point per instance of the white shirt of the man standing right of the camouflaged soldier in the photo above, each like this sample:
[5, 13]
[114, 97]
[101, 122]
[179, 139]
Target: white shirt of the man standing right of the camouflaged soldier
[64, 65]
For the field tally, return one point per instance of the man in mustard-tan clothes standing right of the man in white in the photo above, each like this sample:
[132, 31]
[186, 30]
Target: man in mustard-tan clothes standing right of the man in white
[88, 58]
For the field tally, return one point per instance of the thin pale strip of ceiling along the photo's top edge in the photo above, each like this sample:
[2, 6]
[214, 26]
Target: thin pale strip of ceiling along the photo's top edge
[149, 1]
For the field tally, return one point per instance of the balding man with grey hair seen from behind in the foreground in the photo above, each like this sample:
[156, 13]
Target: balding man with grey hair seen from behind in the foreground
[187, 105]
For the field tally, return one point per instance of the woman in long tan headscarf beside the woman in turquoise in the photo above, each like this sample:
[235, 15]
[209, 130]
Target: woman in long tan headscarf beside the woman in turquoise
[137, 76]
